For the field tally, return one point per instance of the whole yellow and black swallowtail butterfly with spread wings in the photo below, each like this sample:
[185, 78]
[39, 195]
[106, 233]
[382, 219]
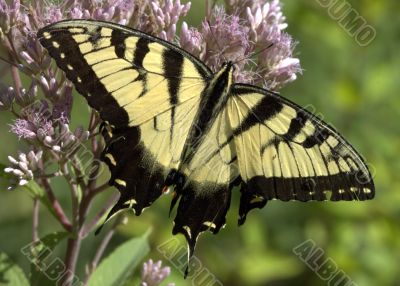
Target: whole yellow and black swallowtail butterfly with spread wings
[171, 123]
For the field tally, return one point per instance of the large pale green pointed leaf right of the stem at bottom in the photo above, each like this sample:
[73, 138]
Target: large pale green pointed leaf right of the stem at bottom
[121, 263]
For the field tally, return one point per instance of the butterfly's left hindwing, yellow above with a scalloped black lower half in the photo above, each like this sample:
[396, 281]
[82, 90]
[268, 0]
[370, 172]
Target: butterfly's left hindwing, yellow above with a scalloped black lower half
[141, 157]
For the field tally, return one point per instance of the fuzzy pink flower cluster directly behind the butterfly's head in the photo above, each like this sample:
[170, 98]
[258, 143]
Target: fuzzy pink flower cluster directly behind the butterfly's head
[251, 34]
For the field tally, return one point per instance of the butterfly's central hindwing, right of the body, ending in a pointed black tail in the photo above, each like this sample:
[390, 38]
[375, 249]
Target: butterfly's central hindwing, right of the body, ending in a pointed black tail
[209, 176]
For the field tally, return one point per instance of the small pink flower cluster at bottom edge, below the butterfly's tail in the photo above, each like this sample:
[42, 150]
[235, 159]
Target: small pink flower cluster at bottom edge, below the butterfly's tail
[153, 274]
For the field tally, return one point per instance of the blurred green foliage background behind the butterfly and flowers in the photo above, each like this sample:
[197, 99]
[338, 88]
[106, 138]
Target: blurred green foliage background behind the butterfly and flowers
[357, 90]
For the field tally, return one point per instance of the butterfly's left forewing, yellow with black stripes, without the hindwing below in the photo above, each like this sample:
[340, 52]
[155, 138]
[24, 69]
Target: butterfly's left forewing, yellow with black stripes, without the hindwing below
[122, 72]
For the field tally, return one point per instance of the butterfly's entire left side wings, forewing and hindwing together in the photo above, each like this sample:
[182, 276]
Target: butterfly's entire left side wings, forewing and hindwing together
[145, 89]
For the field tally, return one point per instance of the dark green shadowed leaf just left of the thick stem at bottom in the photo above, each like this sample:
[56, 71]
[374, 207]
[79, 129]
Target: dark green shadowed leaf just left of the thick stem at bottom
[45, 267]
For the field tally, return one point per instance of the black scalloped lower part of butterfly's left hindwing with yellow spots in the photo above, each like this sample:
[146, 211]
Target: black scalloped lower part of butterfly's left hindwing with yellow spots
[128, 160]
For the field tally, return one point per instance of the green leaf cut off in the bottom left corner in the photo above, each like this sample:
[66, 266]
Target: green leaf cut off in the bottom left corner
[11, 273]
